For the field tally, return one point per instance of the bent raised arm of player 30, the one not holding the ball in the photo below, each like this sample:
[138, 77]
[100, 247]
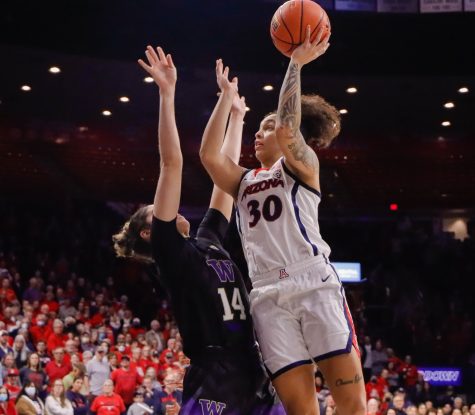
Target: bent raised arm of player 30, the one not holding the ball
[225, 173]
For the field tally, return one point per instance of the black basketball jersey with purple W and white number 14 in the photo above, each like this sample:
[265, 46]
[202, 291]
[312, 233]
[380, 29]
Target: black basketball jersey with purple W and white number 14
[206, 289]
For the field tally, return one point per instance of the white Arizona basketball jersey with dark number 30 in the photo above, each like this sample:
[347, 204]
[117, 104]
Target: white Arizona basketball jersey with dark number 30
[277, 217]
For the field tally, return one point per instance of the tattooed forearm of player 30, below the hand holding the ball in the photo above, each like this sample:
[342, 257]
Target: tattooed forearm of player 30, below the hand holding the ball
[289, 110]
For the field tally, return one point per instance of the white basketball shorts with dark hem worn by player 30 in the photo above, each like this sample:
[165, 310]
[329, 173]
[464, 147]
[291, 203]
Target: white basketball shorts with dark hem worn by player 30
[301, 315]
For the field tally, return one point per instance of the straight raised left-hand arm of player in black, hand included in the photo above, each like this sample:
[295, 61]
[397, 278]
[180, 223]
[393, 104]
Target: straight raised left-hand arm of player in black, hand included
[167, 194]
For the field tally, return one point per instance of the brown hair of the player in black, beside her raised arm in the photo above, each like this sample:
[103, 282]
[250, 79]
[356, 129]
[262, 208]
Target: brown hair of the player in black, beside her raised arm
[128, 243]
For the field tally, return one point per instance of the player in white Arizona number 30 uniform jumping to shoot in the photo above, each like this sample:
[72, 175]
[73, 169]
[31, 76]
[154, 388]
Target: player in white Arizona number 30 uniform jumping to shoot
[297, 301]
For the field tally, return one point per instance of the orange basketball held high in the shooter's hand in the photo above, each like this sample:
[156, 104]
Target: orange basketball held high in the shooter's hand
[289, 23]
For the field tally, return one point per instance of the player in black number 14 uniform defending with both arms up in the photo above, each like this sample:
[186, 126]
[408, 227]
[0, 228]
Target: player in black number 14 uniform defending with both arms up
[207, 292]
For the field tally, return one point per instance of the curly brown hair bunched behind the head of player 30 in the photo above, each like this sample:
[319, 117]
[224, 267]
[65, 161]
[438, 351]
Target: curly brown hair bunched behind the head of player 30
[321, 121]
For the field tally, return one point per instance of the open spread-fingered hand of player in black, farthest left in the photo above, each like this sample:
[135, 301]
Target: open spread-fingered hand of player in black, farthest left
[160, 68]
